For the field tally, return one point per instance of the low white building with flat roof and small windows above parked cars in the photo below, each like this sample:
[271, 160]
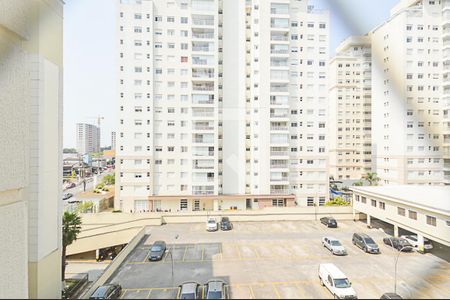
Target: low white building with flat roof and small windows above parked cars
[418, 210]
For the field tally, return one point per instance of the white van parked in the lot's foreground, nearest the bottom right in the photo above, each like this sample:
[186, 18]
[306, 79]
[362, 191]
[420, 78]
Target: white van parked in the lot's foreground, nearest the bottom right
[336, 282]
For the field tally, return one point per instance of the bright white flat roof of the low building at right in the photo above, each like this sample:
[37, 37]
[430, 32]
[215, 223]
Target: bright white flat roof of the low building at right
[424, 196]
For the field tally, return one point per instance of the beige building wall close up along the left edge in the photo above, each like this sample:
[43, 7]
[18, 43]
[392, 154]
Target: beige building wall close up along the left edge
[31, 39]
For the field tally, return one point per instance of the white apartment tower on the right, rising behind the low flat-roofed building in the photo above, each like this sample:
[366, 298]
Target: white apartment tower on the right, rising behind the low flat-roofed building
[407, 106]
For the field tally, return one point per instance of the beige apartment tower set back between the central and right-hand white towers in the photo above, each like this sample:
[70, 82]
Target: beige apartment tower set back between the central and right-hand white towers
[350, 109]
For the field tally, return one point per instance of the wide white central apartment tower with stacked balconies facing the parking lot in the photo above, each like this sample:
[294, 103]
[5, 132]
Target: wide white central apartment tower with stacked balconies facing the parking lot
[222, 104]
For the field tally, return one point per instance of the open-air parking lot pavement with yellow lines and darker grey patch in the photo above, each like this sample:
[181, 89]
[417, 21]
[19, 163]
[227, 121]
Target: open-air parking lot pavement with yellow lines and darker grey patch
[275, 260]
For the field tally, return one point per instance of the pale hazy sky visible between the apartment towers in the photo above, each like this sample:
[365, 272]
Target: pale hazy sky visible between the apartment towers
[89, 54]
